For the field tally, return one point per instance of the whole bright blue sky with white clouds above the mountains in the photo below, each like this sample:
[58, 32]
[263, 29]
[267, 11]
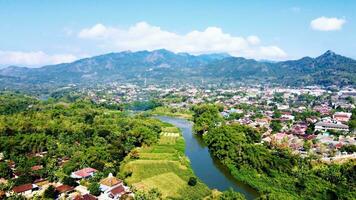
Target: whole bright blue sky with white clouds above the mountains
[34, 33]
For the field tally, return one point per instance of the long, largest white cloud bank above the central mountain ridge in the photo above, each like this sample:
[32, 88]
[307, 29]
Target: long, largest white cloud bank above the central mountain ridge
[143, 36]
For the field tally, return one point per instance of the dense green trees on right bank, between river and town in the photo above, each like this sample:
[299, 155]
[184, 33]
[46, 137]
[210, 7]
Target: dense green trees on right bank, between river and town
[275, 173]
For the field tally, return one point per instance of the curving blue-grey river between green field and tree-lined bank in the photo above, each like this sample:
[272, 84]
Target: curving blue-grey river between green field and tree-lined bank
[205, 166]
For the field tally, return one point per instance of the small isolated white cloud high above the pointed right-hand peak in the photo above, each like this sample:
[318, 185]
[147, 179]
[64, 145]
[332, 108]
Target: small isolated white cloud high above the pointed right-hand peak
[327, 24]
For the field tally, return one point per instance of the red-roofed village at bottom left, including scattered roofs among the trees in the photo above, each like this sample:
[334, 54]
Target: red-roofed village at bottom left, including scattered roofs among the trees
[75, 188]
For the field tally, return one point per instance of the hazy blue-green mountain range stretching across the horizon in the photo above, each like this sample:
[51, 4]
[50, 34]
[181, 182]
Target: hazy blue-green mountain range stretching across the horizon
[162, 66]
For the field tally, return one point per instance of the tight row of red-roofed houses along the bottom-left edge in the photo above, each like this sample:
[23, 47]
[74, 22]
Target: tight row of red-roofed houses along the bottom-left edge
[111, 187]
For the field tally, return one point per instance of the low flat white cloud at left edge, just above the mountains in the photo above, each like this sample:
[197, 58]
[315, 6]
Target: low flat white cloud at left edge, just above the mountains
[33, 59]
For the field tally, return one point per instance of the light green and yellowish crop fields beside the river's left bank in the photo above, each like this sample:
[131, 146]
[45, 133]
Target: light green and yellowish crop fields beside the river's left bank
[165, 167]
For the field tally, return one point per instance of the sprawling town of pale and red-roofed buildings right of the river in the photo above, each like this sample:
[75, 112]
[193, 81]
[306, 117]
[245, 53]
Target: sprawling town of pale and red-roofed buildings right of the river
[310, 121]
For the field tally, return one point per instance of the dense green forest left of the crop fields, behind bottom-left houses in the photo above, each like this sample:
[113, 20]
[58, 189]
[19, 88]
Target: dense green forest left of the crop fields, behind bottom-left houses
[63, 137]
